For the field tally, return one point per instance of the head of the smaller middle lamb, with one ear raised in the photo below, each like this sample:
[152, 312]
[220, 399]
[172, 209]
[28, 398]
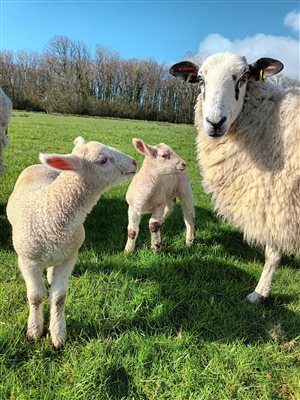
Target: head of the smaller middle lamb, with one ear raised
[161, 158]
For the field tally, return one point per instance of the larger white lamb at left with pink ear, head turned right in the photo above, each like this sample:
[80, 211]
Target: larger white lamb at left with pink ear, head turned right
[47, 209]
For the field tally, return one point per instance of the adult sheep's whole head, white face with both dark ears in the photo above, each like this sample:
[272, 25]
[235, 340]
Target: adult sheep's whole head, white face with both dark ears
[223, 81]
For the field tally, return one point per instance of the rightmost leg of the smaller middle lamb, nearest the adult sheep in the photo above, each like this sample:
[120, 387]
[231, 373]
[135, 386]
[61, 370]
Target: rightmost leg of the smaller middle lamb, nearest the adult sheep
[186, 197]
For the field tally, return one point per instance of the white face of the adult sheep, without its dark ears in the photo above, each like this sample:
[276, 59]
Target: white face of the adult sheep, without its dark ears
[223, 80]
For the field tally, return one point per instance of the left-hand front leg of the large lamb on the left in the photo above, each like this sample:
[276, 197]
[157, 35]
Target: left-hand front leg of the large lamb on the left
[36, 292]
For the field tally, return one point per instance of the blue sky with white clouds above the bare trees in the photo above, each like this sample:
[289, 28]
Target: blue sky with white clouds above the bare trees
[166, 31]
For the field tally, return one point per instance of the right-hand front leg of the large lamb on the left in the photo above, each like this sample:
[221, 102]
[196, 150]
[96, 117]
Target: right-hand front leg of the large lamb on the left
[58, 293]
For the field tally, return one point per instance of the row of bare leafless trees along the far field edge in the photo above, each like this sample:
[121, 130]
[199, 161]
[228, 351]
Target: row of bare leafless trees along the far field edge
[65, 78]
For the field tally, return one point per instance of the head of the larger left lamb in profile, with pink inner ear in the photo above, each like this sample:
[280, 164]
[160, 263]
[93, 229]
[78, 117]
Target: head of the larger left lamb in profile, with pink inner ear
[103, 165]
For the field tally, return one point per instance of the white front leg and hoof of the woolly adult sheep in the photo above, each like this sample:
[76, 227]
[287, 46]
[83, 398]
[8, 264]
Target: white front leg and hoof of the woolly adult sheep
[261, 292]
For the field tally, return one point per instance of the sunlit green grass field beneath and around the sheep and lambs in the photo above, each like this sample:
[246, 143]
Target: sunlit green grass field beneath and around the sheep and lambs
[169, 326]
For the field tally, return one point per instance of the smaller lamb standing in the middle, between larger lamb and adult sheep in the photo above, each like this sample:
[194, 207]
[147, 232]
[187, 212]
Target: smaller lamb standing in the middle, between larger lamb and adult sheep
[154, 189]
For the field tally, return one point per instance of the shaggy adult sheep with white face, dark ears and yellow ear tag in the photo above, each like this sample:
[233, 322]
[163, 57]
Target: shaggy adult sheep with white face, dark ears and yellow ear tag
[248, 150]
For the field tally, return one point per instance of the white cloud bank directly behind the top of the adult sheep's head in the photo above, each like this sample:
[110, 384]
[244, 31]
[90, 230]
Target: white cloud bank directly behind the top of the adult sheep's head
[283, 48]
